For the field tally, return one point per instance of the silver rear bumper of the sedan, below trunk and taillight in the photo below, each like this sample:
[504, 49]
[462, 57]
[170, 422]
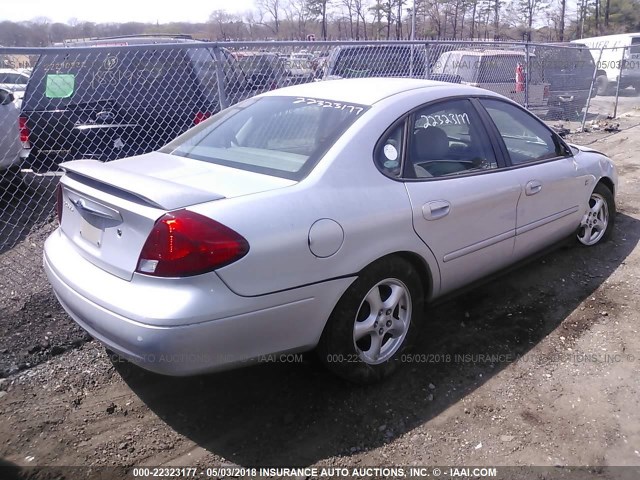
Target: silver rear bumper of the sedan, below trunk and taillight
[168, 331]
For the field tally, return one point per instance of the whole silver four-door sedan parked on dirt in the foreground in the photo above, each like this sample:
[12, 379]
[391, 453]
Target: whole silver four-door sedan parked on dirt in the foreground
[321, 216]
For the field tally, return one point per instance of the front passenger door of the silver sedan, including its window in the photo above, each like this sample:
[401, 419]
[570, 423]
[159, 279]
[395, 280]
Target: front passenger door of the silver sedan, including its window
[553, 186]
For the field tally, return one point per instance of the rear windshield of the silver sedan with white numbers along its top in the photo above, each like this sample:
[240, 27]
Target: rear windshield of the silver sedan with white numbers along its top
[279, 136]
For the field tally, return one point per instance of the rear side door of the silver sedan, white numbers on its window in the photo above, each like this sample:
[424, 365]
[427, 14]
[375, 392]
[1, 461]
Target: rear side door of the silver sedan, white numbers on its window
[463, 202]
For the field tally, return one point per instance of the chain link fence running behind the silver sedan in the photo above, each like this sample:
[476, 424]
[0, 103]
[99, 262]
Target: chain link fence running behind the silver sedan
[112, 98]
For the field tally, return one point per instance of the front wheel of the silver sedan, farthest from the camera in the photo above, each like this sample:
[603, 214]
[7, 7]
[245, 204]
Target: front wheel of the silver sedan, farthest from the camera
[597, 223]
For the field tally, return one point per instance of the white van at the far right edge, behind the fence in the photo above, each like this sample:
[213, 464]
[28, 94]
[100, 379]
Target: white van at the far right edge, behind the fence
[618, 61]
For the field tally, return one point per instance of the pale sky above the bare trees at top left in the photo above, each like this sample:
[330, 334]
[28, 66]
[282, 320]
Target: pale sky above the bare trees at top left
[120, 11]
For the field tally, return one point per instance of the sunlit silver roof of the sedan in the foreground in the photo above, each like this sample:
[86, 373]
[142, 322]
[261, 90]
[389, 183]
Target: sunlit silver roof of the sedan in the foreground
[367, 91]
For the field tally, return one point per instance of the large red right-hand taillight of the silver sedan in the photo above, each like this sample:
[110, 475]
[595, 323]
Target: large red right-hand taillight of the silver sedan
[185, 243]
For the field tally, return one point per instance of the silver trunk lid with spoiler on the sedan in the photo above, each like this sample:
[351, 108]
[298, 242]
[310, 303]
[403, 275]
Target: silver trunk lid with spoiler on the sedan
[109, 209]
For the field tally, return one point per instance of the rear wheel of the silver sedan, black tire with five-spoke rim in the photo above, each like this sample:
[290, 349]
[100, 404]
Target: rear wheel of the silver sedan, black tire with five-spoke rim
[374, 322]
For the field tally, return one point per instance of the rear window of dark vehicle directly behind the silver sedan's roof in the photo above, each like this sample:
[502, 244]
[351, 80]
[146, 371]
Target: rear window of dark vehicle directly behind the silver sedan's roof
[387, 61]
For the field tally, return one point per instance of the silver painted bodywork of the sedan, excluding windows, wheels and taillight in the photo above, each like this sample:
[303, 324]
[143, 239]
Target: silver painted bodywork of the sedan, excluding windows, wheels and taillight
[308, 239]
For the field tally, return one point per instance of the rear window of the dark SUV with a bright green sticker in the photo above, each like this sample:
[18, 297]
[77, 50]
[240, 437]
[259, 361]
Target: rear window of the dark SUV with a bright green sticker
[138, 77]
